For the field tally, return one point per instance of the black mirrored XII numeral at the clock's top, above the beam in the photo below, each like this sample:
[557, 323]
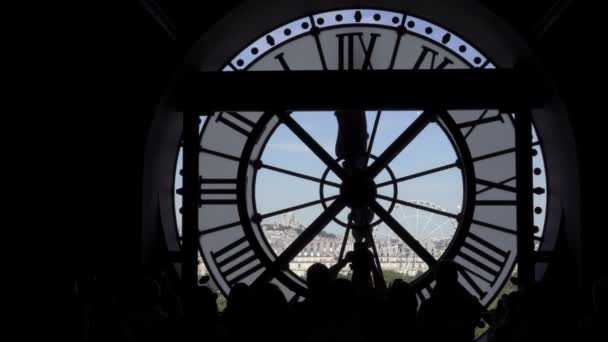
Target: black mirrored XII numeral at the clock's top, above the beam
[346, 50]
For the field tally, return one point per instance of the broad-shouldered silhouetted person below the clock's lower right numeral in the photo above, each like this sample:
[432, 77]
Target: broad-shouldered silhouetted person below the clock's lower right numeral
[451, 313]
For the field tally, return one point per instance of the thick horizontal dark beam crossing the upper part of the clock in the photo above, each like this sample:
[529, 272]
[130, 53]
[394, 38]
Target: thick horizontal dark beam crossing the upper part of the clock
[348, 90]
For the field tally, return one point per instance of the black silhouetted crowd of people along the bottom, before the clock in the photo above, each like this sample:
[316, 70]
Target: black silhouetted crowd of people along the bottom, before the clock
[338, 309]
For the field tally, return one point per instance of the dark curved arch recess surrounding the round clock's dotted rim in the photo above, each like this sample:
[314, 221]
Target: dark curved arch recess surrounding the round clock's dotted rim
[465, 17]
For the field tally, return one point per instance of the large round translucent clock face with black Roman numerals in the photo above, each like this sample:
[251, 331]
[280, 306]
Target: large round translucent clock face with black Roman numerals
[274, 199]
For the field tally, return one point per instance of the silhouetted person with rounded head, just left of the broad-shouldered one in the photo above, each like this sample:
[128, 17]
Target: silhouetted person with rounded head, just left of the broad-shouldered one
[401, 305]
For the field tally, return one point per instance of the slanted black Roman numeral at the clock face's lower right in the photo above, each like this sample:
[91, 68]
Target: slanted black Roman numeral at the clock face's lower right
[474, 256]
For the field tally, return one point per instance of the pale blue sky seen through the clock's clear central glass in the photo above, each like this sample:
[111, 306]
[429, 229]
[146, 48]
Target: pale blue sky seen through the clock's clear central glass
[431, 148]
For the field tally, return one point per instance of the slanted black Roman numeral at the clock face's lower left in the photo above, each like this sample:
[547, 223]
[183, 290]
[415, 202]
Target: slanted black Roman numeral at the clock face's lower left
[233, 274]
